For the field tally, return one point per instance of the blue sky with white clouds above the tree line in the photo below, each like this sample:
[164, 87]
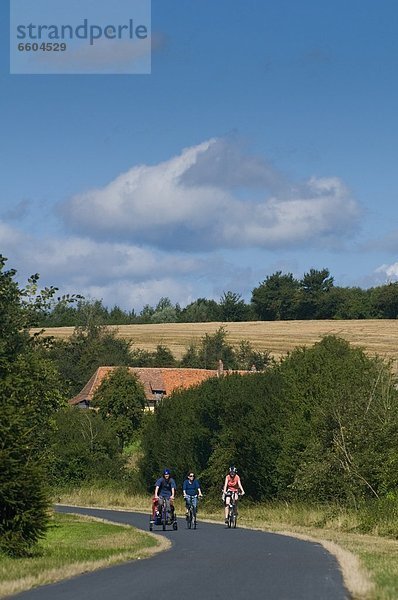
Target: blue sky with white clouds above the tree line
[265, 138]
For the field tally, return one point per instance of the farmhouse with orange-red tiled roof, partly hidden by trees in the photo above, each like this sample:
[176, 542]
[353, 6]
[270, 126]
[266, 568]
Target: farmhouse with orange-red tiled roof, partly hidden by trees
[158, 382]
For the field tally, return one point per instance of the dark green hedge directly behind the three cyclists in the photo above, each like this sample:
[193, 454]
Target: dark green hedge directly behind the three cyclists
[231, 419]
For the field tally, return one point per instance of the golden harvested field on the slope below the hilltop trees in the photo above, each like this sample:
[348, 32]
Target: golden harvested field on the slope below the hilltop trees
[376, 336]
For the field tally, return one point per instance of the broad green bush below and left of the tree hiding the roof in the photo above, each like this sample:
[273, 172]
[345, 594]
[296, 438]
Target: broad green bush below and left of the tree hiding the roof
[85, 447]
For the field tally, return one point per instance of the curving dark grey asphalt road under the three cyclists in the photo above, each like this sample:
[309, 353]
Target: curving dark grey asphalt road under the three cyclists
[210, 562]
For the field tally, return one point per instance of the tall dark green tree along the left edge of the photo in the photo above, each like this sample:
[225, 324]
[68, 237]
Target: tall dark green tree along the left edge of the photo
[30, 391]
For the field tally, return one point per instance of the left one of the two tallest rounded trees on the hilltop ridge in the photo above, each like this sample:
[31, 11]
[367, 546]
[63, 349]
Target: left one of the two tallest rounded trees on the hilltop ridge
[277, 297]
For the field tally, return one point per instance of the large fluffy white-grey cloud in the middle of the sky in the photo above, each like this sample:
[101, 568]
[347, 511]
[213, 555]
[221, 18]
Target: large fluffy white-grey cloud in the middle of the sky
[210, 197]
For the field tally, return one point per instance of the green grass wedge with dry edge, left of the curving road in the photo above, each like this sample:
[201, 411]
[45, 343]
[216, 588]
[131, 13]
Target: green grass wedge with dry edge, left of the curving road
[73, 545]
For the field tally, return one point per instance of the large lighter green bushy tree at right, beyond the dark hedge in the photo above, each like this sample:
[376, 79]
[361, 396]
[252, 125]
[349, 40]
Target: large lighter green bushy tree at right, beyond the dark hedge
[340, 425]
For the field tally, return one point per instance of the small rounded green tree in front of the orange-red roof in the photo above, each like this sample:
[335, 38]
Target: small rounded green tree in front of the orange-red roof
[120, 400]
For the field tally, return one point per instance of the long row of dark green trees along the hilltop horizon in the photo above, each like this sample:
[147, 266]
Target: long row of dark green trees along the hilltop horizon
[279, 297]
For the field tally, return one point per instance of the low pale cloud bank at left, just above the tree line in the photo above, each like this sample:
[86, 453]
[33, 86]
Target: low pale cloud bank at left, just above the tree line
[117, 273]
